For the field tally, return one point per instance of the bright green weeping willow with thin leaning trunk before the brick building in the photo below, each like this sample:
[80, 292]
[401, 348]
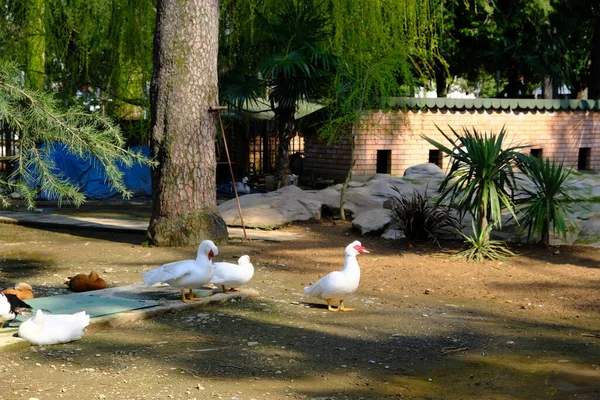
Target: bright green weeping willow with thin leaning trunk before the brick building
[389, 47]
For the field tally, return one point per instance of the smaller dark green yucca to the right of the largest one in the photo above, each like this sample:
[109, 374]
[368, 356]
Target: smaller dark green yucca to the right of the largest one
[545, 201]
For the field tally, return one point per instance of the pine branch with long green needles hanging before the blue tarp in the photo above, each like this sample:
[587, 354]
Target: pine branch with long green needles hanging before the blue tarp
[38, 119]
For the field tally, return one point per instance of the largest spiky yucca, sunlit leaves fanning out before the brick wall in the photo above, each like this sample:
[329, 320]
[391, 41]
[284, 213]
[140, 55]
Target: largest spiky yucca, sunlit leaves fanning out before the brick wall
[481, 180]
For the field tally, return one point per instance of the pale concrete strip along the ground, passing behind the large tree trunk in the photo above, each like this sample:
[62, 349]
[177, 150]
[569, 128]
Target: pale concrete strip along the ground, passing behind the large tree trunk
[122, 225]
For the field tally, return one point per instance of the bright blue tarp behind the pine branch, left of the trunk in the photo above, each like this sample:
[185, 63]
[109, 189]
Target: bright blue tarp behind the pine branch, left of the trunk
[89, 174]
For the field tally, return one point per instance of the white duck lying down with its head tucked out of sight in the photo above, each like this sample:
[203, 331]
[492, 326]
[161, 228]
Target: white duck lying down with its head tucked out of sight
[44, 329]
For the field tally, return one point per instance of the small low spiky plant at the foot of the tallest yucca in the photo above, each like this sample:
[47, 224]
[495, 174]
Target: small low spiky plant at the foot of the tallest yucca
[480, 246]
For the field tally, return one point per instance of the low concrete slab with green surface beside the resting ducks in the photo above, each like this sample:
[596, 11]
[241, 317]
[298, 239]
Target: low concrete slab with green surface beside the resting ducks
[121, 305]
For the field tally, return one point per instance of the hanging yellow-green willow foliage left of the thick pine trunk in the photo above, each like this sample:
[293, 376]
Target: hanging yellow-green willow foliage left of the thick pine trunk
[104, 46]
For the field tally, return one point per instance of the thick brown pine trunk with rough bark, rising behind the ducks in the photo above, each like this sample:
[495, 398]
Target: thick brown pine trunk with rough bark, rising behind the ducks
[184, 87]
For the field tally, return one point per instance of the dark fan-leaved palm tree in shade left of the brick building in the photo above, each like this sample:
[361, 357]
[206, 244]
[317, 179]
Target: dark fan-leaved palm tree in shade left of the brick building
[292, 68]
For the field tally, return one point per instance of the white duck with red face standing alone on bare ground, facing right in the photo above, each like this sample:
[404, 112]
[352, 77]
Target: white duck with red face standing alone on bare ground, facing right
[338, 285]
